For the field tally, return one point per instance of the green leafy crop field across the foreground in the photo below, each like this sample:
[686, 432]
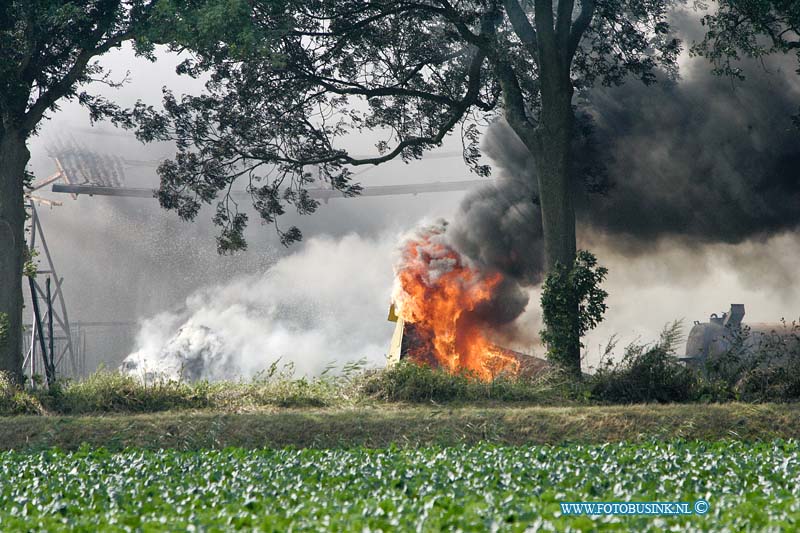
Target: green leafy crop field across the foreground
[748, 486]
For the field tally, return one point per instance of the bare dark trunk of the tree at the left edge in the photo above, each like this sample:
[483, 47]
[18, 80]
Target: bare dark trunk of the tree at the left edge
[14, 156]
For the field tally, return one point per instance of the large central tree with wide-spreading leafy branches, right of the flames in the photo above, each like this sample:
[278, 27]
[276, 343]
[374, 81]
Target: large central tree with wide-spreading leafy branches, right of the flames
[412, 71]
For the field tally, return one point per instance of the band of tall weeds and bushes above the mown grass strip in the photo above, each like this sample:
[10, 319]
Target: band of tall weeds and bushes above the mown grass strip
[644, 374]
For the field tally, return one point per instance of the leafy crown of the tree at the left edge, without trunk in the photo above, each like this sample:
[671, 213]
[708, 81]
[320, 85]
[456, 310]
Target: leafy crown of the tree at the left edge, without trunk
[50, 49]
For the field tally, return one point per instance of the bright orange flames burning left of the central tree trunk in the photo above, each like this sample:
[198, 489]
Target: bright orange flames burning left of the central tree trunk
[437, 292]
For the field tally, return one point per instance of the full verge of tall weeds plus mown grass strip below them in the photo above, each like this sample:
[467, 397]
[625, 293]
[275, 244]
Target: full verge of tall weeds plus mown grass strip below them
[646, 394]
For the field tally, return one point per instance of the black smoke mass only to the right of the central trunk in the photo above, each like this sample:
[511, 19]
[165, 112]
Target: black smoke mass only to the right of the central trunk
[698, 161]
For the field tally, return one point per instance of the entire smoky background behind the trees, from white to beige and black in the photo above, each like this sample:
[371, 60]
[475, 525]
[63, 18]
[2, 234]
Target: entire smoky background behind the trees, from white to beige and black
[701, 210]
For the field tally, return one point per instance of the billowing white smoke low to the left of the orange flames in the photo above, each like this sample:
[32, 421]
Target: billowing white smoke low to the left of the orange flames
[325, 304]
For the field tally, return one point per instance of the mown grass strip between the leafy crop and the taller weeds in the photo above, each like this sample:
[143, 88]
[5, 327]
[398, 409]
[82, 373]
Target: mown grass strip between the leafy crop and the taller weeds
[402, 424]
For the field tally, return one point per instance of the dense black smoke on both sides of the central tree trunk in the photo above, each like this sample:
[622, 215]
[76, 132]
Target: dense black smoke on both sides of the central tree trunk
[698, 161]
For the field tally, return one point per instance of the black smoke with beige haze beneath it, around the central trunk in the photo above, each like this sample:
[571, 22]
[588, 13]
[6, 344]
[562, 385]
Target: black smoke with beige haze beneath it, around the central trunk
[691, 181]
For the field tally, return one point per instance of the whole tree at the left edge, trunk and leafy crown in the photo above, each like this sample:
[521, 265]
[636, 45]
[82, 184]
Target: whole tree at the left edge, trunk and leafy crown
[47, 52]
